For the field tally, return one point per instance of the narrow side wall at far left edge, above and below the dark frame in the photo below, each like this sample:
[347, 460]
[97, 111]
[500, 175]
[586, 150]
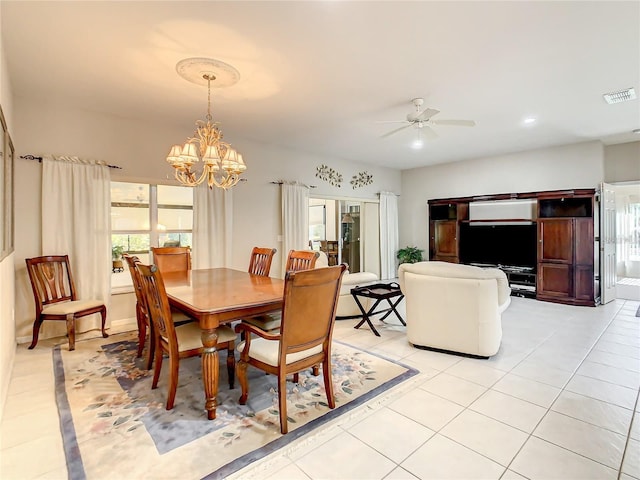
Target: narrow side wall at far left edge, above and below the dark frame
[7, 323]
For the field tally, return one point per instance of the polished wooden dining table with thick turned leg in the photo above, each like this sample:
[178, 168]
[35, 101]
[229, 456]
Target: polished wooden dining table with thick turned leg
[216, 296]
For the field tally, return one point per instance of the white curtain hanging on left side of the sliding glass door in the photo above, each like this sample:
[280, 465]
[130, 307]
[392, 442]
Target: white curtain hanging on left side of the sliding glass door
[295, 218]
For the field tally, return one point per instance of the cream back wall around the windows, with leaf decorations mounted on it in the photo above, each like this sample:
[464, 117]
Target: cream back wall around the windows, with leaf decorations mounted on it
[141, 148]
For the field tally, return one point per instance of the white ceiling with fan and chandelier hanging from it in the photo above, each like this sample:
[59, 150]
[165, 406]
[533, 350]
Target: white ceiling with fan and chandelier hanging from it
[319, 76]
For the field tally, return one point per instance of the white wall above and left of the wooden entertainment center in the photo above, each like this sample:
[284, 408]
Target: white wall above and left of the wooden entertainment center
[569, 166]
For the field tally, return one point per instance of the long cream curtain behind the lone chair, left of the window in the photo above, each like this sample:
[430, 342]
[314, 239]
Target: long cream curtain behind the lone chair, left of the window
[76, 206]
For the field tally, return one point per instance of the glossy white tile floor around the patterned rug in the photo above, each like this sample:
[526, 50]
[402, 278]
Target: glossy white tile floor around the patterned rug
[560, 400]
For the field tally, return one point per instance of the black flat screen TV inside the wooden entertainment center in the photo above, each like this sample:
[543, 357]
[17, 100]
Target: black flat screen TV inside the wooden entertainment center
[496, 244]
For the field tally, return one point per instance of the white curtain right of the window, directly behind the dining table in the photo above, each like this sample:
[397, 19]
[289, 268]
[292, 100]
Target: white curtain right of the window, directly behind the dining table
[212, 227]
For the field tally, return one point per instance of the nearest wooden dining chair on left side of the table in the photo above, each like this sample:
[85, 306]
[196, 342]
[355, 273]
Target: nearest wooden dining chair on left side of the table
[177, 342]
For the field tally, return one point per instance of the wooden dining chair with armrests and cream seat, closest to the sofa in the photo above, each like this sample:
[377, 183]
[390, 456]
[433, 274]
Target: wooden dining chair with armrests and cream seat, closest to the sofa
[304, 340]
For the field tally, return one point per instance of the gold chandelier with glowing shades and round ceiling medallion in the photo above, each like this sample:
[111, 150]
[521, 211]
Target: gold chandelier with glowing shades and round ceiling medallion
[222, 165]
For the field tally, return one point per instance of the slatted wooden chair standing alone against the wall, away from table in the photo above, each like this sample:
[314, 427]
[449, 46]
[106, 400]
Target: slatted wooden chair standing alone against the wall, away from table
[54, 293]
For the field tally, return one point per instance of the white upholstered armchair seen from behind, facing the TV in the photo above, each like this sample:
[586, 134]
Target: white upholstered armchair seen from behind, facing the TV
[455, 308]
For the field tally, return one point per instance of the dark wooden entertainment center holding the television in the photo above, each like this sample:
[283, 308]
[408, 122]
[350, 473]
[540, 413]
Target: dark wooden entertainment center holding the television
[552, 249]
